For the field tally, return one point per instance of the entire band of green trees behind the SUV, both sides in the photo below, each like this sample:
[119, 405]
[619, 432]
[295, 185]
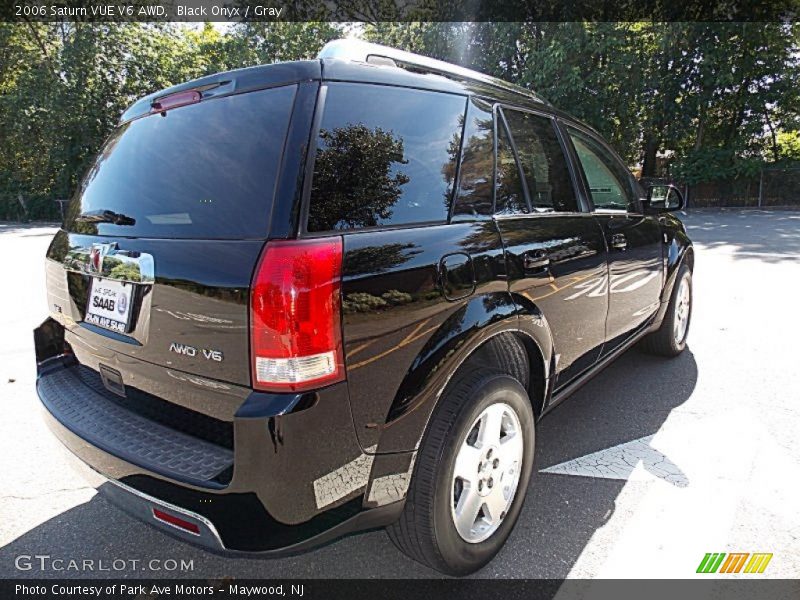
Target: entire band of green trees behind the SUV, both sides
[699, 101]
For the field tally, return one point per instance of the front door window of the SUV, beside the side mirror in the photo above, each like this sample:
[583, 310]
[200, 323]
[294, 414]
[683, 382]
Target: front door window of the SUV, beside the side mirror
[611, 185]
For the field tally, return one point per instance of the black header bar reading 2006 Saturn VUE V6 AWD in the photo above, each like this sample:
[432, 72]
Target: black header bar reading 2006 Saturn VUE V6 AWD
[399, 10]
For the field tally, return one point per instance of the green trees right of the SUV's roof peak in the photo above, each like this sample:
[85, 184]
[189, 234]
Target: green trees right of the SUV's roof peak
[711, 99]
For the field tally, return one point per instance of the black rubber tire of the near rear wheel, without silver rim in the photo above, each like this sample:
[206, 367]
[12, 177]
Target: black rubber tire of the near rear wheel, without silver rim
[426, 531]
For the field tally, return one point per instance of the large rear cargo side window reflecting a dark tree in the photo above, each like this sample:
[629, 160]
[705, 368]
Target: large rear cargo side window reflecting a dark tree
[385, 156]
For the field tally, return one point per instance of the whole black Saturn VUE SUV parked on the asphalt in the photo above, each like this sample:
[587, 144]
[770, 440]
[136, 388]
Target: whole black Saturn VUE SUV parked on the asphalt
[298, 300]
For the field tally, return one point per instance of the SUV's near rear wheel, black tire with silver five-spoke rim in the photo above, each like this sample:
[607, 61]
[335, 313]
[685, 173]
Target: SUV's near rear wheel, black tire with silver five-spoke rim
[471, 475]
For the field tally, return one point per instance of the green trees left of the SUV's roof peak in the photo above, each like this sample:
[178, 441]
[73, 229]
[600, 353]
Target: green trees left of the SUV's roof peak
[63, 87]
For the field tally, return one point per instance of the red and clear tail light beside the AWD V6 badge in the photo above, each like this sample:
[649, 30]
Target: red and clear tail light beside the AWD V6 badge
[295, 335]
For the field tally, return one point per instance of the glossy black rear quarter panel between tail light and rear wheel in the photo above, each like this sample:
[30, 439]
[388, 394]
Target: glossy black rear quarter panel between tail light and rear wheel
[398, 327]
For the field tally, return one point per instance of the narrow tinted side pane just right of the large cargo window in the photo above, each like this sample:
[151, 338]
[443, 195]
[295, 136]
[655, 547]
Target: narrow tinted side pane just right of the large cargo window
[477, 157]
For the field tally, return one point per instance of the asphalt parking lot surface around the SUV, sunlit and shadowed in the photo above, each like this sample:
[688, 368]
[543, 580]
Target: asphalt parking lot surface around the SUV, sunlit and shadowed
[646, 469]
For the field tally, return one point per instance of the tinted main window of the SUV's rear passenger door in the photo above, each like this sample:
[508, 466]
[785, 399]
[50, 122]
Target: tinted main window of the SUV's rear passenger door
[542, 161]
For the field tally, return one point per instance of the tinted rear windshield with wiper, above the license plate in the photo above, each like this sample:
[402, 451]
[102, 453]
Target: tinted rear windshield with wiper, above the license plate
[205, 170]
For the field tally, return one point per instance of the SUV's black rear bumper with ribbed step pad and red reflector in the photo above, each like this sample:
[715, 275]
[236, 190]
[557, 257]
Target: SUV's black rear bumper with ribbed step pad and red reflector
[276, 489]
